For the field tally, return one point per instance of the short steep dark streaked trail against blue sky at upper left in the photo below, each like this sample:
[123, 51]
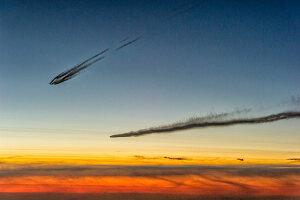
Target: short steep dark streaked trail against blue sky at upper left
[71, 73]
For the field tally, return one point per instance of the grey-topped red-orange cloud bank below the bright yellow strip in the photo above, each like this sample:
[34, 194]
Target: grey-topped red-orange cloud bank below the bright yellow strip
[208, 180]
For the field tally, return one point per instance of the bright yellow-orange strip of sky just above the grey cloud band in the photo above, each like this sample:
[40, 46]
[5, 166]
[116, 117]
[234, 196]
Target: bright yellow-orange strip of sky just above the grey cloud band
[140, 160]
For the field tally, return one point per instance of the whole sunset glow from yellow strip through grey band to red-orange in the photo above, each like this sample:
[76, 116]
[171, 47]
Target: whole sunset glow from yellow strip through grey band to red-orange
[78, 174]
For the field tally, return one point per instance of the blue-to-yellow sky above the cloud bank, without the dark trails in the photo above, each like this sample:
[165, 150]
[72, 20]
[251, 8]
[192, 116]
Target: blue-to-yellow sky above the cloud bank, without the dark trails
[217, 57]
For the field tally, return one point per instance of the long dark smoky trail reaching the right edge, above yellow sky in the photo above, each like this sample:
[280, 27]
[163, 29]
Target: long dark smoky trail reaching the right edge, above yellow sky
[210, 122]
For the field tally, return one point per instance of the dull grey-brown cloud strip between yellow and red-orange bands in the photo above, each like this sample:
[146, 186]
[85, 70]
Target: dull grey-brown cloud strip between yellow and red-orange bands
[274, 171]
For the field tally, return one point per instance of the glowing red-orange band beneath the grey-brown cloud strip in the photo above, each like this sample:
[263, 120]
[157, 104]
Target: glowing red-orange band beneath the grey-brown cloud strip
[167, 184]
